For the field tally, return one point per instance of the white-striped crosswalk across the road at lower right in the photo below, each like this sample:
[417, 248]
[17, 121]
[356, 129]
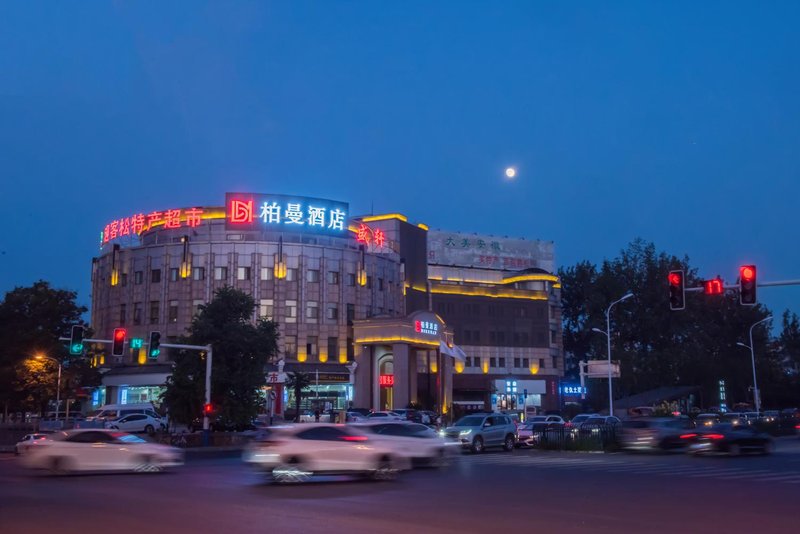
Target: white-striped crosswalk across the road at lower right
[628, 465]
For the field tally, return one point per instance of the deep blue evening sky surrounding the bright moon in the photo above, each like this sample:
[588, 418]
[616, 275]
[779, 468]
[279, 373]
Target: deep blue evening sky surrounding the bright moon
[675, 122]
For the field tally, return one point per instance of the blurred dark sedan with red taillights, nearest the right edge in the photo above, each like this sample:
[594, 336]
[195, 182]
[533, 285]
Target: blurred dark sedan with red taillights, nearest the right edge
[729, 439]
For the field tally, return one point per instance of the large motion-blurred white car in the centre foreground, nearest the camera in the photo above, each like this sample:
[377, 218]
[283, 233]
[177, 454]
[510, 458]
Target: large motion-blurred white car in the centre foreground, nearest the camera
[295, 453]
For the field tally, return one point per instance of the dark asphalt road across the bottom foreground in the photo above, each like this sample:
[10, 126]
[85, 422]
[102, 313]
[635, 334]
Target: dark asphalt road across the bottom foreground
[494, 492]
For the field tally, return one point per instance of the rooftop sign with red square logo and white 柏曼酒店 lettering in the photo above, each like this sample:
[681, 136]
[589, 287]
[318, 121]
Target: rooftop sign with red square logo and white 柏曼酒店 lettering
[256, 211]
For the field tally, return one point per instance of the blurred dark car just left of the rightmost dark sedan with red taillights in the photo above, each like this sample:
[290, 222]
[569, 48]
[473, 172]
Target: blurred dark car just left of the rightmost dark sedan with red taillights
[655, 433]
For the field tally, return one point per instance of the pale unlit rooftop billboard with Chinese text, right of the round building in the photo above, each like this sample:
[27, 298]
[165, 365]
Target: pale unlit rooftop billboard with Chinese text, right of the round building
[491, 252]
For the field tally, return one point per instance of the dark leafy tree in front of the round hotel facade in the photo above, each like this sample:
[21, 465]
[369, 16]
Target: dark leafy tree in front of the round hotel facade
[241, 352]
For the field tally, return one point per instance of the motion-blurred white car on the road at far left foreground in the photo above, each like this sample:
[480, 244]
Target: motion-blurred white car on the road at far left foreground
[94, 449]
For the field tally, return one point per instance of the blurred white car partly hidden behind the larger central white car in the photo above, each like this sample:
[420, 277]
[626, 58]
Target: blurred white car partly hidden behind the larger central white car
[419, 444]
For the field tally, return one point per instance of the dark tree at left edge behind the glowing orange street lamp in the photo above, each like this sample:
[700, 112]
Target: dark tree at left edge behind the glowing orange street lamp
[31, 321]
